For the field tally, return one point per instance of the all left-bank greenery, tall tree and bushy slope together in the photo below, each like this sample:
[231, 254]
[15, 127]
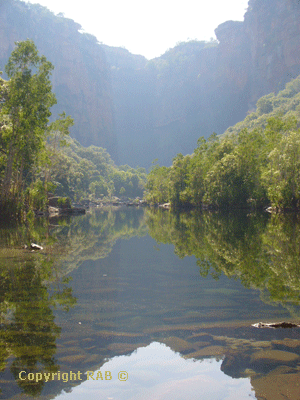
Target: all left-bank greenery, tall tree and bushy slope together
[37, 156]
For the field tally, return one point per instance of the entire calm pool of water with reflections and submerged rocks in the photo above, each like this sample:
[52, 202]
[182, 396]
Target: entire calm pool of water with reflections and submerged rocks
[140, 304]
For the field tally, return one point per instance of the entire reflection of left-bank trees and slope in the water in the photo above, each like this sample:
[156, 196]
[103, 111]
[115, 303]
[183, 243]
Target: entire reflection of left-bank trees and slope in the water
[31, 288]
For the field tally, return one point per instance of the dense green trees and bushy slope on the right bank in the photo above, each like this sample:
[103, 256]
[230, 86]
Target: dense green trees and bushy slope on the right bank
[254, 164]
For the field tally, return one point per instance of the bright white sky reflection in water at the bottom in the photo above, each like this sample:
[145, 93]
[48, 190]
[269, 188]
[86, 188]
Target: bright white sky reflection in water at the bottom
[157, 372]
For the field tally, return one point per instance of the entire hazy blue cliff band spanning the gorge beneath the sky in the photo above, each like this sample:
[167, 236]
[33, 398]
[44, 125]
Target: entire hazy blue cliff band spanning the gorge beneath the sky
[142, 110]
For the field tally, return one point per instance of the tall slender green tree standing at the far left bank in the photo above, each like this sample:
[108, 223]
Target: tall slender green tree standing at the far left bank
[27, 110]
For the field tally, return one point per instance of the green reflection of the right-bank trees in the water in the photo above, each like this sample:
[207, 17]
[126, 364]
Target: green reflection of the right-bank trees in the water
[262, 251]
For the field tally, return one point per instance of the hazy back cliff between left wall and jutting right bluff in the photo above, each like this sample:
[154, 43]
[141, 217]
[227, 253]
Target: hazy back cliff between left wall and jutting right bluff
[193, 90]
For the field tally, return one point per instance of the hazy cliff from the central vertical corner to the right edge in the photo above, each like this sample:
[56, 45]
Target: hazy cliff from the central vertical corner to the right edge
[199, 88]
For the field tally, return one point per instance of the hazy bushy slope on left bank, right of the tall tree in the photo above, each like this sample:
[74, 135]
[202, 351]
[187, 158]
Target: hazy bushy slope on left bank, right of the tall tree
[81, 172]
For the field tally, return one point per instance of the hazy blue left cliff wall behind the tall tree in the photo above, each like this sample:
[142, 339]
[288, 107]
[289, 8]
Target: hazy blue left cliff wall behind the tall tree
[81, 78]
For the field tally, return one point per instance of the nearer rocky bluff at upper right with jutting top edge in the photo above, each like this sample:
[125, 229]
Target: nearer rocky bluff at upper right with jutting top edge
[262, 52]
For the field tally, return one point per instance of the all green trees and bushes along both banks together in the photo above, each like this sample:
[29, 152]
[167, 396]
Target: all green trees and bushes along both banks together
[255, 163]
